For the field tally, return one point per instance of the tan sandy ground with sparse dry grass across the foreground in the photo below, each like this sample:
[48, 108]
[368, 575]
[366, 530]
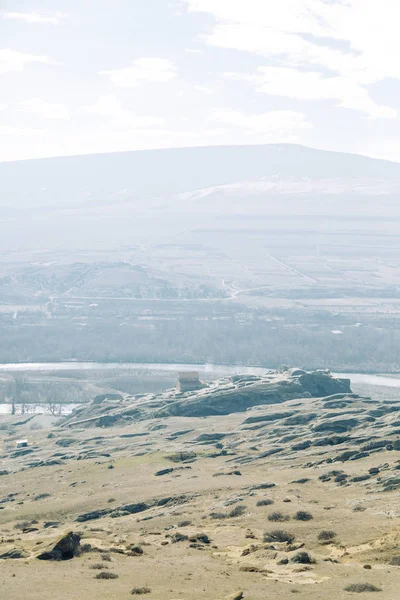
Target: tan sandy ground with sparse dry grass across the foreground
[364, 519]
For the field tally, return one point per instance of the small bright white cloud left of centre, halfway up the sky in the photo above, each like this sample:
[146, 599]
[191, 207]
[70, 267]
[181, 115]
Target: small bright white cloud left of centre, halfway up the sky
[143, 70]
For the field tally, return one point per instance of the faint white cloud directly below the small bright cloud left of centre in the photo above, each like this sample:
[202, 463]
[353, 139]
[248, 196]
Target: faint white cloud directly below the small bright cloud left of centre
[110, 107]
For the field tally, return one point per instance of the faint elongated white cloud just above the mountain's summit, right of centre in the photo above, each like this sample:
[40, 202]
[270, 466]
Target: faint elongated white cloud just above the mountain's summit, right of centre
[279, 124]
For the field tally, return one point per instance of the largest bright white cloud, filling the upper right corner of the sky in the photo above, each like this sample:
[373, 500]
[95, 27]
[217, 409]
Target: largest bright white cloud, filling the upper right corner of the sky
[356, 40]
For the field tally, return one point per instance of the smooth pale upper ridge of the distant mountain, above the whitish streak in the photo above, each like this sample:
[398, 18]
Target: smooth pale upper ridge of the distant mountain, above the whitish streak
[152, 173]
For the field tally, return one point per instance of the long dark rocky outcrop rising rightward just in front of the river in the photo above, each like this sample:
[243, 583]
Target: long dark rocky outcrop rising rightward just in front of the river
[225, 396]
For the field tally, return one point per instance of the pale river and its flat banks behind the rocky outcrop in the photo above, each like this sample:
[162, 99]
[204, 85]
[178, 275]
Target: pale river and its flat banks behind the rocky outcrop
[46, 386]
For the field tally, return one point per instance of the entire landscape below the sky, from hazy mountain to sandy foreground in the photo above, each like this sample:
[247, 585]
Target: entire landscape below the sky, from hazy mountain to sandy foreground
[253, 483]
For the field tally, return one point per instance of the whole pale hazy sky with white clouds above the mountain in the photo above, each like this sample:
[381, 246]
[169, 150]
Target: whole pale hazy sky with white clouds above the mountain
[86, 76]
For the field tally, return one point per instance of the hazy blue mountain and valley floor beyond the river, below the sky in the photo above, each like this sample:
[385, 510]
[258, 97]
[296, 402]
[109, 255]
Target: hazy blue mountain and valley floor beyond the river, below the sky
[251, 255]
